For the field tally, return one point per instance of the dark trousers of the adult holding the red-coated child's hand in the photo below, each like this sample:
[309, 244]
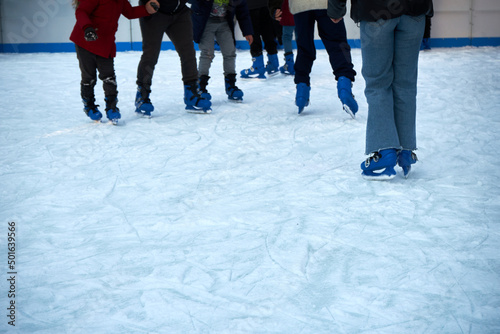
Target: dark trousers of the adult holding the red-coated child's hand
[179, 30]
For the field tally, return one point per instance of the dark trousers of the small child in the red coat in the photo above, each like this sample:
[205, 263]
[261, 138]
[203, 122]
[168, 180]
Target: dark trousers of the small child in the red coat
[90, 63]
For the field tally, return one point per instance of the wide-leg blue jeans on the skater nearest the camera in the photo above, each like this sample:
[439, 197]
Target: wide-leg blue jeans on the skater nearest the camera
[390, 50]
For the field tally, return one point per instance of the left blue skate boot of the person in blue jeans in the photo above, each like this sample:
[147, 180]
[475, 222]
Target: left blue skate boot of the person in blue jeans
[380, 165]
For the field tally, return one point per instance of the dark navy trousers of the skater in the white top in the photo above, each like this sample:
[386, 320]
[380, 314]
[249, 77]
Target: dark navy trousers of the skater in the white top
[334, 38]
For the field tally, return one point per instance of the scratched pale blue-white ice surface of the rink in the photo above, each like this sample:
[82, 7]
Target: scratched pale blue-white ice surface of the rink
[252, 219]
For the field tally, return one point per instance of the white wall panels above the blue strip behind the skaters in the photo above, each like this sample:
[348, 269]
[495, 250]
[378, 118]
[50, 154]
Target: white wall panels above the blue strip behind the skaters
[51, 21]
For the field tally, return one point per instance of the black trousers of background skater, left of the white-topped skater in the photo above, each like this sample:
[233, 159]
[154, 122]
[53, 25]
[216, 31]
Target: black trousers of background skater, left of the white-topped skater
[263, 30]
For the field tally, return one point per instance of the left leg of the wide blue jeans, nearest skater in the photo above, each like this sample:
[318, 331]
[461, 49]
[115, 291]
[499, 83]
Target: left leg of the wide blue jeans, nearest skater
[377, 51]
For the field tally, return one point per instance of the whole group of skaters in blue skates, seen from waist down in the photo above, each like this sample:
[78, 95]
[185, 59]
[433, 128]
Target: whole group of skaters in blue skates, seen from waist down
[391, 34]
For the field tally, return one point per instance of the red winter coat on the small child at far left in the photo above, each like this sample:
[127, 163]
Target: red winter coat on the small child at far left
[103, 16]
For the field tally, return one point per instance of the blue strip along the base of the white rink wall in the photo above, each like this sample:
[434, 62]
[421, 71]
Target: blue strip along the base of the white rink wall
[241, 45]
